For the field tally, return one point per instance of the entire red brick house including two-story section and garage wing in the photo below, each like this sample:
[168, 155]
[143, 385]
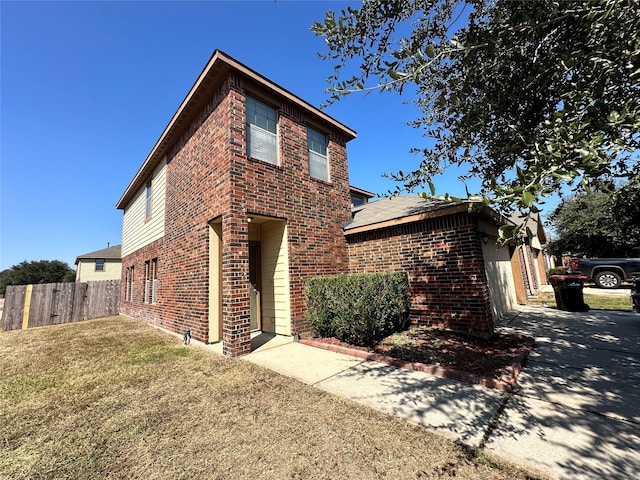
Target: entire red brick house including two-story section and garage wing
[245, 195]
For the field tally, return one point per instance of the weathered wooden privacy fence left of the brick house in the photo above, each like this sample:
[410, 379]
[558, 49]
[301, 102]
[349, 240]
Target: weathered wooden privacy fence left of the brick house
[55, 303]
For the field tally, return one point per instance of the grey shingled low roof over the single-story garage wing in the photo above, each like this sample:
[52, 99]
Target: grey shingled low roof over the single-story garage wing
[398, 210]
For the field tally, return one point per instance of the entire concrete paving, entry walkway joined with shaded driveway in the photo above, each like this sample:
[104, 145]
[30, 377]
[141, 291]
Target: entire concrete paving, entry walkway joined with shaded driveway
[575, 413]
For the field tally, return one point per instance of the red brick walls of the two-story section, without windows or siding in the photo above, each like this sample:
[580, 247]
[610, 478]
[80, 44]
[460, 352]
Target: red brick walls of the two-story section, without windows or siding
[210, 177]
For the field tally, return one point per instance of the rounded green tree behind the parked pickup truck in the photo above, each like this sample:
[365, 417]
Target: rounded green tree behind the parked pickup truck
[597, 224]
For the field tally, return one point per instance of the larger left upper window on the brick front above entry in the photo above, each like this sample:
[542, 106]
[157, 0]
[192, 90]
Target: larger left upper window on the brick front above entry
[262, 140]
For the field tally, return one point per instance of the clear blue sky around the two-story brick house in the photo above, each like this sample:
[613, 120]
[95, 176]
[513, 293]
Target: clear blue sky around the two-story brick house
[88, 87]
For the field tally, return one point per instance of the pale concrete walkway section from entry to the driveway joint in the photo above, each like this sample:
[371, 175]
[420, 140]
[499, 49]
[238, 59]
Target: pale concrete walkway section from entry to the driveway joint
[458, 410]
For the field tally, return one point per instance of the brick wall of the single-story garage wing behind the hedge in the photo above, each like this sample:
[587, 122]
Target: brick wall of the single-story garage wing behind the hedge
[443, 257]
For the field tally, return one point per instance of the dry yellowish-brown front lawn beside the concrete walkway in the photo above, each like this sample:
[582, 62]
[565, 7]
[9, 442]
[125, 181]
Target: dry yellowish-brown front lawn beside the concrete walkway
[115, 398]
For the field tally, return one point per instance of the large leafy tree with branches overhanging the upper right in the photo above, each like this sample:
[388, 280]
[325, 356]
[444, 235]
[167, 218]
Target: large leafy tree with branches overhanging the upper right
[529, 95]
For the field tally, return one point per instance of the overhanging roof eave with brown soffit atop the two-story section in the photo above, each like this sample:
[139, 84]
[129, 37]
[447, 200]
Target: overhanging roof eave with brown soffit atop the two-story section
[214, 73]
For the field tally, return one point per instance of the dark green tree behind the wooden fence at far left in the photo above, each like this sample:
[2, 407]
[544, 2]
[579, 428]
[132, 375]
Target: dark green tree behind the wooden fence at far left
[42, 271]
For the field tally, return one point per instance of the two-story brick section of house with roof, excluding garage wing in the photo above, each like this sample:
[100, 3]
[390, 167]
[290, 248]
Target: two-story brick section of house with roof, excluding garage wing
[243, 197]
